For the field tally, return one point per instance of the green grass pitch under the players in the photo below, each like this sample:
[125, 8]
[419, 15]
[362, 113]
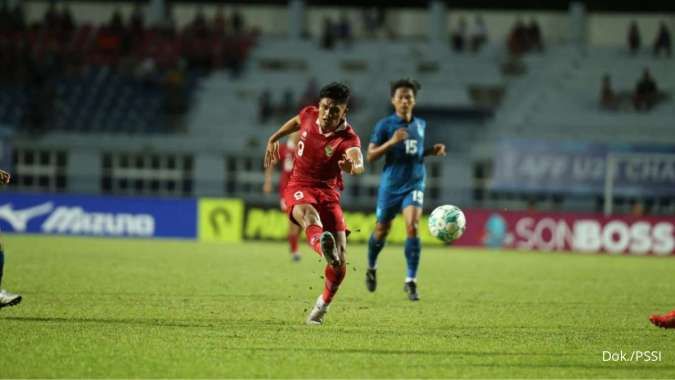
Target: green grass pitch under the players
[140, 308]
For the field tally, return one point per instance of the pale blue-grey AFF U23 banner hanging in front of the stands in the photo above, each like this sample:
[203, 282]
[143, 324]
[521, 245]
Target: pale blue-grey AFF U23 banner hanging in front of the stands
[572, 167]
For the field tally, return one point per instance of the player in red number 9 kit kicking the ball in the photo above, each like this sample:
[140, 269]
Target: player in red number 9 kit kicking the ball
[328, 146]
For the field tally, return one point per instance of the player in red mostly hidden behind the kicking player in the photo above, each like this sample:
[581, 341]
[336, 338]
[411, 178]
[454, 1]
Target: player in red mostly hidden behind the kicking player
[287, 155]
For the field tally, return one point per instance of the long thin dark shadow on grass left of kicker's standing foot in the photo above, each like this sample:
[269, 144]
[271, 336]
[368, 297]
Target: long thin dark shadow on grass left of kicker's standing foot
[199, 323]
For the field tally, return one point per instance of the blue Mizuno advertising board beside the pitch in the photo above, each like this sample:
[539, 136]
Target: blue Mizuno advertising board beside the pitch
[98, 216]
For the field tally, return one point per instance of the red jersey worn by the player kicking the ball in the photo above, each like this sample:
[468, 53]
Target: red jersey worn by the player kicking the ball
[317, 154]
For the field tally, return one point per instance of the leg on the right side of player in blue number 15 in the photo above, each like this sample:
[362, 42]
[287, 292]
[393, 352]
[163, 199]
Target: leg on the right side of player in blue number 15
[412, 213]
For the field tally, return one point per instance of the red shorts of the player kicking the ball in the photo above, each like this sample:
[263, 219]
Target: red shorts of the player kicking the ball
[325, 201]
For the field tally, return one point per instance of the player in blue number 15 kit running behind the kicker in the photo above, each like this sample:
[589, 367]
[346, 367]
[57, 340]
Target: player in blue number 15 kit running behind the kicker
[400, 138]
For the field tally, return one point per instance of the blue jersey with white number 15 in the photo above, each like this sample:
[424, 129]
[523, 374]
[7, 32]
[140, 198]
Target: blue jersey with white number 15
[404, 163]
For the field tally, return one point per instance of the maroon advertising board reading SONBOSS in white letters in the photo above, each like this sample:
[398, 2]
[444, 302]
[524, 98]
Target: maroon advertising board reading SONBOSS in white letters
[585, 233]
